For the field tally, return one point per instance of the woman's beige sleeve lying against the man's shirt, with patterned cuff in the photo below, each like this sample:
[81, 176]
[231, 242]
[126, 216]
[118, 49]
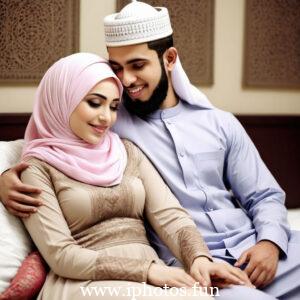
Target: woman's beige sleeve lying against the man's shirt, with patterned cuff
[168, 218]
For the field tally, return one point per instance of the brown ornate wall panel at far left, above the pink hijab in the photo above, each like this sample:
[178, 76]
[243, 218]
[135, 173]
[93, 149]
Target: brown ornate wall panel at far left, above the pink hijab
[33, 35]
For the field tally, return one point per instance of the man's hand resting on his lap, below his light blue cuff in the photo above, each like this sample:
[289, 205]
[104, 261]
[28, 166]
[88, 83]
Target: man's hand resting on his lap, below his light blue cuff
[262, 260]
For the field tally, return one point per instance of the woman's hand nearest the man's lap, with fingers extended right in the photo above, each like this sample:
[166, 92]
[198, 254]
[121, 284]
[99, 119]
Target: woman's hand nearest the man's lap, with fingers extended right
[209, 273]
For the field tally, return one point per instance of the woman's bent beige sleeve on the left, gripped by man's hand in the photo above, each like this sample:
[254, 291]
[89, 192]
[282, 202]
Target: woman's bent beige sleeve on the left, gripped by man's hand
[50, 232]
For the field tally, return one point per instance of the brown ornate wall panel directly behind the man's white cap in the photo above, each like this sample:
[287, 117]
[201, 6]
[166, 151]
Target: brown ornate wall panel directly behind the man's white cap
[193, 26]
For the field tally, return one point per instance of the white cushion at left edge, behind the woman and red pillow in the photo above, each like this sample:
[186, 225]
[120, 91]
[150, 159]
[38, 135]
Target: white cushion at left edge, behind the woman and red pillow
[15, 243]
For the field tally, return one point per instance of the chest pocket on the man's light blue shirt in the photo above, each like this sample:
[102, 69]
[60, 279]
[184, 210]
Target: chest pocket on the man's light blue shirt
[208, 168]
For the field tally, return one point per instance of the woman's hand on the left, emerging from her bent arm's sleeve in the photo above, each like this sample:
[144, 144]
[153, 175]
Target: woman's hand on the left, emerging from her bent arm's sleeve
[160, 275]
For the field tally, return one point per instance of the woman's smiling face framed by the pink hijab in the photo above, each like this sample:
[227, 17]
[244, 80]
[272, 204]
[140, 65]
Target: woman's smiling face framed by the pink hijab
[97, 112]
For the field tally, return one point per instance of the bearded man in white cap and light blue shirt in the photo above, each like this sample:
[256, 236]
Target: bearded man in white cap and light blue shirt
[203, 153]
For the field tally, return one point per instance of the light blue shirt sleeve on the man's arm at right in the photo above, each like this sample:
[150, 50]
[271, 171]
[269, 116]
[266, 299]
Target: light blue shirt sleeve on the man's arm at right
[255, 187]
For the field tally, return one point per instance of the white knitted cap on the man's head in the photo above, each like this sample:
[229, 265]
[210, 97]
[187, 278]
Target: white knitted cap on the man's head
[137, 23]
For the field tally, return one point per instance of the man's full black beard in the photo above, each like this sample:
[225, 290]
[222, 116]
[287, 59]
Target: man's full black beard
[143, 108]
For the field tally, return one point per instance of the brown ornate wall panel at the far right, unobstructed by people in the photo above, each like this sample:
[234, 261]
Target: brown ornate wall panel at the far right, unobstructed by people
[272, 44]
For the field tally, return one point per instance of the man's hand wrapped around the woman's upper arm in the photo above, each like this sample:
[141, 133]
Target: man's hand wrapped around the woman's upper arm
[14, 194]
